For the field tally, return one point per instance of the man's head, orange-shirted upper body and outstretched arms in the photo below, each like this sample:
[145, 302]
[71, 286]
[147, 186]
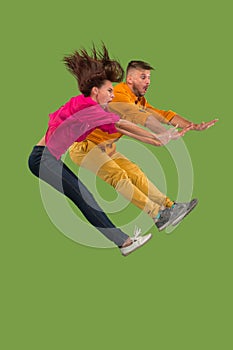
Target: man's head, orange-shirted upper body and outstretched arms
[129, 102]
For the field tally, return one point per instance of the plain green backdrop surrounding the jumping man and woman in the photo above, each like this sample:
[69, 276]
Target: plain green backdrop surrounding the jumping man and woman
[174, 293]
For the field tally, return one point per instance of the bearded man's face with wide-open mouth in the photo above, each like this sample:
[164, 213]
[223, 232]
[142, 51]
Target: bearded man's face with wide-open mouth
[138, 80]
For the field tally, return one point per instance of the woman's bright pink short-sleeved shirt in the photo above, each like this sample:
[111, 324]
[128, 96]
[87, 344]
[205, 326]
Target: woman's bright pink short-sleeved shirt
[75, 121]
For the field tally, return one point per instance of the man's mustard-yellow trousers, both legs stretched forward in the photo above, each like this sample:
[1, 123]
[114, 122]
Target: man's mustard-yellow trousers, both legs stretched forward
[118, 171]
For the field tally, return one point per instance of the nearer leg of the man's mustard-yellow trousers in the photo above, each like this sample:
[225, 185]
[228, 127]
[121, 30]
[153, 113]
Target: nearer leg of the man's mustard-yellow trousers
[91, 157]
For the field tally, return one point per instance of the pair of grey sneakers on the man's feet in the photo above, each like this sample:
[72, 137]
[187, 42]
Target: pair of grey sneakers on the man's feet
[172, 216]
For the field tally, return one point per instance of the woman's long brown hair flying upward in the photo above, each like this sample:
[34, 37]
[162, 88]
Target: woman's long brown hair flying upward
[92, 70]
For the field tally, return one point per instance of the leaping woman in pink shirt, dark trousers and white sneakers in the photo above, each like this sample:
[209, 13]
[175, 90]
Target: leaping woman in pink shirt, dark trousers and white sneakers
[70, 123]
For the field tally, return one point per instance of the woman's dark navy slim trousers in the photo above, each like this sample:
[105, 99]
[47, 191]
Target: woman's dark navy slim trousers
[54, 172]
